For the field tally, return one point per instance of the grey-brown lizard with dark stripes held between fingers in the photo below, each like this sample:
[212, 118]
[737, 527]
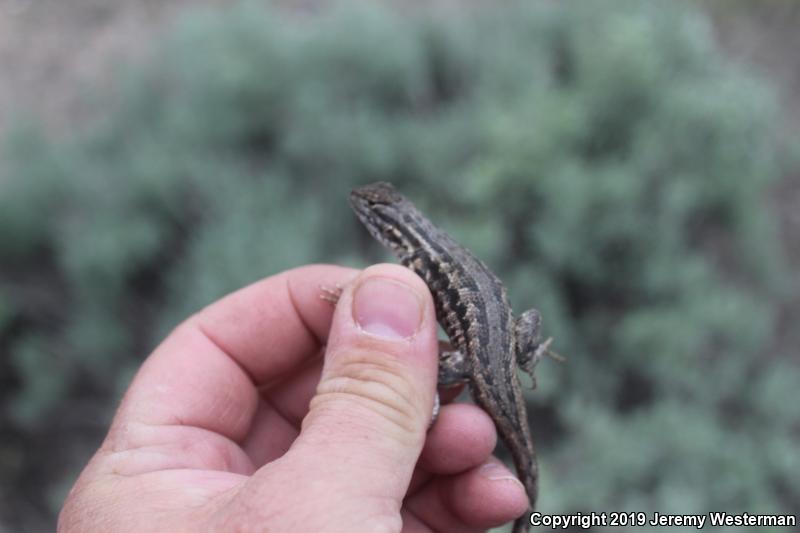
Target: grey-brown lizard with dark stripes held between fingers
[489, 343]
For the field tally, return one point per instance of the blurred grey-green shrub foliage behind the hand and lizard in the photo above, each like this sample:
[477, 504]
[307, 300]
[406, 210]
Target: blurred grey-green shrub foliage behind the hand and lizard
[603, 157]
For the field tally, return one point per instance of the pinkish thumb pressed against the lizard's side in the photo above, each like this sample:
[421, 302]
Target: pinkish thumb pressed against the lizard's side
[368, 419]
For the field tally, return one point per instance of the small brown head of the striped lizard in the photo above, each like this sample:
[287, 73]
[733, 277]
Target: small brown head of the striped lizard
[382, 210]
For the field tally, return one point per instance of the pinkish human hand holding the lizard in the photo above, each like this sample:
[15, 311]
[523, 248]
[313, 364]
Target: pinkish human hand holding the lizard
[237, 423]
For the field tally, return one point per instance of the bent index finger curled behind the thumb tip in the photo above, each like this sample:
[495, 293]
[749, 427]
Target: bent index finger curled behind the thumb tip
[206, 373]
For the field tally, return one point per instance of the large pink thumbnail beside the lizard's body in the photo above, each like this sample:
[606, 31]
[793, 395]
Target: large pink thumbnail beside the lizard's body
[387, 308]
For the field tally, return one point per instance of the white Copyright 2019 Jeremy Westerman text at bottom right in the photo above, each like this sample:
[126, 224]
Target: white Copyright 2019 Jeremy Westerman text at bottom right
[638, 519]
